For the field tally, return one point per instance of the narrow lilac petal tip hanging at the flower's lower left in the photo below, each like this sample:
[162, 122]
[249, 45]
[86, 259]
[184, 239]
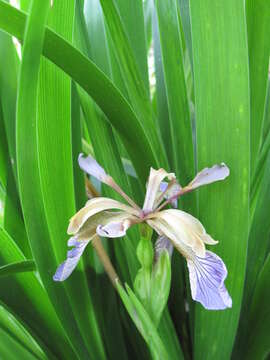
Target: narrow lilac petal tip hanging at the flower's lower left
[73, 256]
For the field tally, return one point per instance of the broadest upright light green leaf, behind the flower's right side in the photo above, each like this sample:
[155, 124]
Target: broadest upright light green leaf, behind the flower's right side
[220, 57]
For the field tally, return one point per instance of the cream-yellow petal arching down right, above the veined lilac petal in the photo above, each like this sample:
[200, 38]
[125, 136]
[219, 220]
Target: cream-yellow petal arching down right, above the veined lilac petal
[185, 235]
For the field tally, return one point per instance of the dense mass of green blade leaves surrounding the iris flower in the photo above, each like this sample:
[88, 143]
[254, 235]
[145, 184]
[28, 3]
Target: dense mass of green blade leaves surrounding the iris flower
[82, 84]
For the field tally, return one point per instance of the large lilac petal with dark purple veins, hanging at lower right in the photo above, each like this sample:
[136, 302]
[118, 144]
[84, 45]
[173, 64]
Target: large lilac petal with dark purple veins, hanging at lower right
[207, 276]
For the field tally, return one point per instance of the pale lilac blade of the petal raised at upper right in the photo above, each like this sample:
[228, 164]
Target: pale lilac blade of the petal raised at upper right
[209, 175]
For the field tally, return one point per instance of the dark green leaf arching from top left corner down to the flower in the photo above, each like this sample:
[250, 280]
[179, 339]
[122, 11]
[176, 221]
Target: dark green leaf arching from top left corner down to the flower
[94, 82]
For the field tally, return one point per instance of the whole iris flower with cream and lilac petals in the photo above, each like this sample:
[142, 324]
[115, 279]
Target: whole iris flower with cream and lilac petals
[110, 218]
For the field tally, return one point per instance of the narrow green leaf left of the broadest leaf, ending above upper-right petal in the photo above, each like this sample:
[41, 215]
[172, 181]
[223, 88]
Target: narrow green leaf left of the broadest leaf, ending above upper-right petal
[178, 103]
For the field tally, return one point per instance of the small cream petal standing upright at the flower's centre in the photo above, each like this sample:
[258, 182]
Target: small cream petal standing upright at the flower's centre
[153, 186]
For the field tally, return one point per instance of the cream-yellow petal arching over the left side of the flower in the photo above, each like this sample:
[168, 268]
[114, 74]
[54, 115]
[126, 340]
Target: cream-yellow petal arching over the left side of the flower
[93, 207]
